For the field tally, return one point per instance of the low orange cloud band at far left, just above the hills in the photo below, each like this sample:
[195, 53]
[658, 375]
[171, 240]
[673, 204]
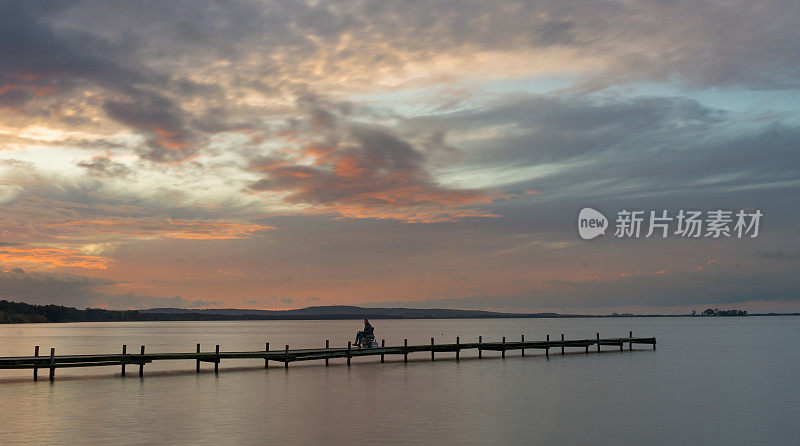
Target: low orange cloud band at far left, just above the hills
[42, 258]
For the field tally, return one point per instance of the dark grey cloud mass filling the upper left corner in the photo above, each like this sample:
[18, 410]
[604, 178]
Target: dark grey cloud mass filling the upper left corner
[43, 61]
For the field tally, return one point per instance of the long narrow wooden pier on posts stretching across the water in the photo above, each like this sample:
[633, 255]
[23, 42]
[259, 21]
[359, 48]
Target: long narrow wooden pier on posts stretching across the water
[287, 355]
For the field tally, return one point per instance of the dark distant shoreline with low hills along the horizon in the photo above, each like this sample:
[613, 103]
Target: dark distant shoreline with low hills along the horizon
[18, 312]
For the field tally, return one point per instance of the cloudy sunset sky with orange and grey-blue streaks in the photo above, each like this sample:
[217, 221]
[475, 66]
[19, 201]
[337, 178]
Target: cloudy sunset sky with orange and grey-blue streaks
[284, 154]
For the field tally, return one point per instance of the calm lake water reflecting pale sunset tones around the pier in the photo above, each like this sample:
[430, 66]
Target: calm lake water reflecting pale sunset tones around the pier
[711, 381]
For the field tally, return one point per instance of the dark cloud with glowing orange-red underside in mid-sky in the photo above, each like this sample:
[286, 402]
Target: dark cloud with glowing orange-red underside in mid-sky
[363, 171]
